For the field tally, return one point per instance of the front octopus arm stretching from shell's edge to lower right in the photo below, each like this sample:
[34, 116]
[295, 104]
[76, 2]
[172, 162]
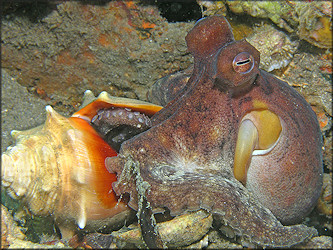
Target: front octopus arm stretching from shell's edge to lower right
[188, 191]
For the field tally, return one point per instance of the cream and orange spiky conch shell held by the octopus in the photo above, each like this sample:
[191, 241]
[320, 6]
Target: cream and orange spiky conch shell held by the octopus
[59, 168]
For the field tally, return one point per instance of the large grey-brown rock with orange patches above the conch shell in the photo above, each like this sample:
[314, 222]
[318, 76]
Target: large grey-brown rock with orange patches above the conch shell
[120, 47]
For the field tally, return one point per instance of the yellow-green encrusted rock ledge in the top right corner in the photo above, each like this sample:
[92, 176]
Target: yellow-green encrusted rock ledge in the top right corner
[311, 21]
